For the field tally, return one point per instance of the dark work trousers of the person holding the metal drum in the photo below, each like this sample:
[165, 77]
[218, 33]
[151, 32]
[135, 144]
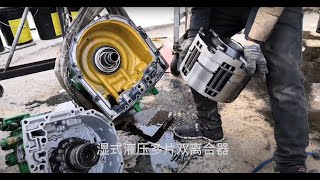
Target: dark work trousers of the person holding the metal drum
[285, 87]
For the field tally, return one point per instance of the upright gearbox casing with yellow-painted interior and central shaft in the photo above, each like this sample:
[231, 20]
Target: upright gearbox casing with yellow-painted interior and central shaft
[113, 64]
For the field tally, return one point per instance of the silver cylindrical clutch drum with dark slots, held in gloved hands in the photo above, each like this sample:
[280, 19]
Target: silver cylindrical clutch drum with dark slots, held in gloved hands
[215, 67]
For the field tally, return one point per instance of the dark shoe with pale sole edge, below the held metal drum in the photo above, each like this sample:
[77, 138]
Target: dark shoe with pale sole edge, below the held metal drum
[197, 131]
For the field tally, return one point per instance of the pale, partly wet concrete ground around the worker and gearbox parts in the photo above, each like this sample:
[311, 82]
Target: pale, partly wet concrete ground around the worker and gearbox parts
[247, 122]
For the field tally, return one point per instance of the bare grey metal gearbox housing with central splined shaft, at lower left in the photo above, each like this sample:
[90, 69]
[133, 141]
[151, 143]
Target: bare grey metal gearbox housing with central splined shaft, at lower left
[64, 141]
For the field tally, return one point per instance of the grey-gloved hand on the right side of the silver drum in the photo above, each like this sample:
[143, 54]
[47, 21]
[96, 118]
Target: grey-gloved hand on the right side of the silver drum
[257, 64]
